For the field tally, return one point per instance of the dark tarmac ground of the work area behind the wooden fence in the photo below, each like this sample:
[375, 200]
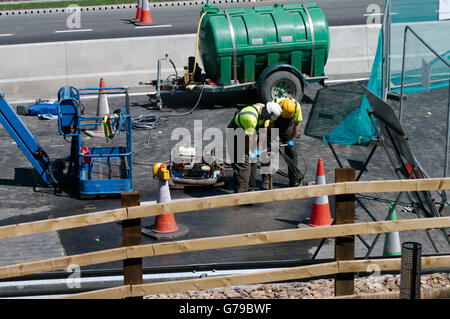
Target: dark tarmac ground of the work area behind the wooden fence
[25, 199]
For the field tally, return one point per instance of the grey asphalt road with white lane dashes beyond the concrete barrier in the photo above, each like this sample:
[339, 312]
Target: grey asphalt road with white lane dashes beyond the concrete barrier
[115, 23]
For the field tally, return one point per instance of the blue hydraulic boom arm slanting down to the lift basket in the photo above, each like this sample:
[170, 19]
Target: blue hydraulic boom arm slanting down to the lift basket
[26, 141]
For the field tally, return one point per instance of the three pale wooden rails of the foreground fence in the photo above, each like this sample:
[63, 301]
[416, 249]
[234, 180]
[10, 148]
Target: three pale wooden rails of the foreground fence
[134, 250]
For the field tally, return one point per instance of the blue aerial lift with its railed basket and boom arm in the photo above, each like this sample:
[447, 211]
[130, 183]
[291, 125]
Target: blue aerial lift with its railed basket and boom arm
[92, 170]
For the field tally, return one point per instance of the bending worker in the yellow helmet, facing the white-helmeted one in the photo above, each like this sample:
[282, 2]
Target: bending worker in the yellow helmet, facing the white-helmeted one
[288, 124]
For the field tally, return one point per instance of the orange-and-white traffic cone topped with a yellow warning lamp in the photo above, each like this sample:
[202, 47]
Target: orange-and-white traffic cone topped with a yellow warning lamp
[165, 226]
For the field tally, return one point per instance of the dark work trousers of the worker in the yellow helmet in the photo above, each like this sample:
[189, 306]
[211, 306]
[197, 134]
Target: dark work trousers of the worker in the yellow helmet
[285, 127]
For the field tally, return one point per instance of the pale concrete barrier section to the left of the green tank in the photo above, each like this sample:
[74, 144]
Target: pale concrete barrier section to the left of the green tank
[38, 70]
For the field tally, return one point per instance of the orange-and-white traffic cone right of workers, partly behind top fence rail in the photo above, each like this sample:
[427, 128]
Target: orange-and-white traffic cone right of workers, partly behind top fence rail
[320, 212]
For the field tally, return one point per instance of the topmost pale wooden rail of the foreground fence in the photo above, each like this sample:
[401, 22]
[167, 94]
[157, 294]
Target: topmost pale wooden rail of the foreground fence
[196, 204]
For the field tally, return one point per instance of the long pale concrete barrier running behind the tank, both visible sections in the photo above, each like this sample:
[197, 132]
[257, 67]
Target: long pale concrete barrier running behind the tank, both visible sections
[38, 70]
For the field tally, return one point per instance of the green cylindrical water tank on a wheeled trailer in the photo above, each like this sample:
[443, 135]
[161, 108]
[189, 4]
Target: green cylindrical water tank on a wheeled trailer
[273, 50]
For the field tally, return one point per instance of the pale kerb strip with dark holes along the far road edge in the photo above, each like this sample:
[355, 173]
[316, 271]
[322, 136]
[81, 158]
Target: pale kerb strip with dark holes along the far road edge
[115, 7]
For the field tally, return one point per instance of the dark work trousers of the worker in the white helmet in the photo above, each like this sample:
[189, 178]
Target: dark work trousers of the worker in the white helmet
[244, 172]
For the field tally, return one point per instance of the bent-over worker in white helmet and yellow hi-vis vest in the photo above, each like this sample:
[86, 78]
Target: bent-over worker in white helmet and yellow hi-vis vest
[249, 119]
